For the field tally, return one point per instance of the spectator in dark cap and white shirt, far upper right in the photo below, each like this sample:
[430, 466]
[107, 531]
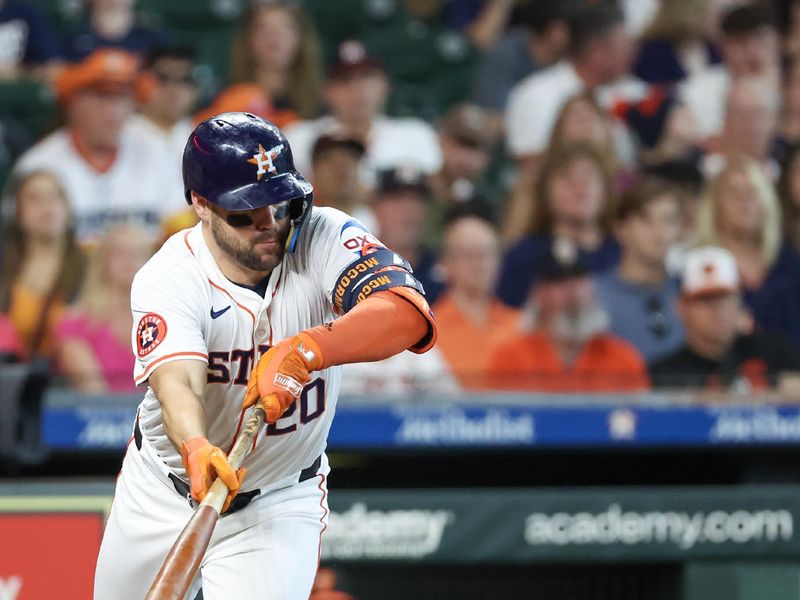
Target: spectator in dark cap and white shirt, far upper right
[749, 45]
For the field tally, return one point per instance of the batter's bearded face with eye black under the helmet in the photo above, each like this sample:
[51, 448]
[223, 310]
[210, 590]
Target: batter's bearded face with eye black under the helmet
[258, 245]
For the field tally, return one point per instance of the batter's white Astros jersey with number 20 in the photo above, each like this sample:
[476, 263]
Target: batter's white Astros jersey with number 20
[185, 309]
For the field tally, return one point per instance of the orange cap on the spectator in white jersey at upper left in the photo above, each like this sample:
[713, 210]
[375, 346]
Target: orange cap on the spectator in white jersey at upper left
[105, 68]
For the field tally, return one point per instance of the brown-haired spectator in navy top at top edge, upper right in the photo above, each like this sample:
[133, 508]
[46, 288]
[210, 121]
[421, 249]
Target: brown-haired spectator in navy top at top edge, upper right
[678, 41]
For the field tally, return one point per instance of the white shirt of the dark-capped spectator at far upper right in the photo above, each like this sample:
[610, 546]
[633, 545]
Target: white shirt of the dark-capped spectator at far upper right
[705, 93]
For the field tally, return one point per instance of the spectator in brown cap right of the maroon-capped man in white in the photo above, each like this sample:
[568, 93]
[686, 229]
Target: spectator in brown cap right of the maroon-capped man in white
[466, 140]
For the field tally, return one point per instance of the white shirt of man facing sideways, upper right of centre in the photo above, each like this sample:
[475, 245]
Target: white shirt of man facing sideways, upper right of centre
[535, 102]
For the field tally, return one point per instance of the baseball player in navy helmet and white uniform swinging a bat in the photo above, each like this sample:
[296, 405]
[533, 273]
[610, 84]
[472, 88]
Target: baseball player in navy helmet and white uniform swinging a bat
[258, 303]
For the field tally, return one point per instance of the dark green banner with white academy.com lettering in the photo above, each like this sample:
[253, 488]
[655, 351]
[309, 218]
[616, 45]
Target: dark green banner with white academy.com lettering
[518, 526]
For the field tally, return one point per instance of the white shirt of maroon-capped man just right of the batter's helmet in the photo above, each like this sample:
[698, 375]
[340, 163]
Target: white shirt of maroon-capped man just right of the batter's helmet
[392, 142]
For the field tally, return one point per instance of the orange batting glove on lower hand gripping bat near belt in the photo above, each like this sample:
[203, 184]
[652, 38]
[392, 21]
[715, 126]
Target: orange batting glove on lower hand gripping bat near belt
[205, 462]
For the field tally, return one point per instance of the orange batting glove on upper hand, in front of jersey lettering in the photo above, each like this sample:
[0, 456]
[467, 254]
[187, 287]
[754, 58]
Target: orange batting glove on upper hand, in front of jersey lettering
[278, 378]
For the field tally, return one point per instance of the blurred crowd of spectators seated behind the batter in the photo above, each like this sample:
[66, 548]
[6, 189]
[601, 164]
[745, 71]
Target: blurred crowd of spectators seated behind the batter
[610, 204]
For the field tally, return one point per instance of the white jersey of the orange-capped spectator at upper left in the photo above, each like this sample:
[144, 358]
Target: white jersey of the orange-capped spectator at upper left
[135, 188]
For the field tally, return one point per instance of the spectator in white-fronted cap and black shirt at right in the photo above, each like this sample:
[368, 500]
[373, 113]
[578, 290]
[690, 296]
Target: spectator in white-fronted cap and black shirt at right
[716, 355]
